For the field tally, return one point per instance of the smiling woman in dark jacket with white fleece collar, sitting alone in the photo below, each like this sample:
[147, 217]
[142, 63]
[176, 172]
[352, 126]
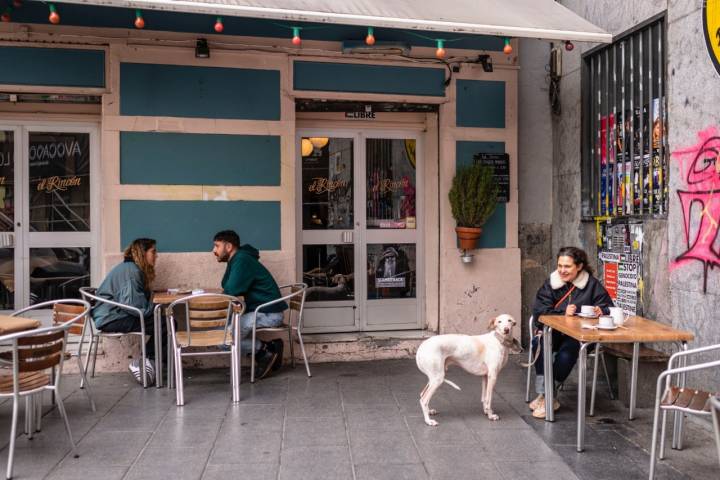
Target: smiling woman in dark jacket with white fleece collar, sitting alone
[569, 287]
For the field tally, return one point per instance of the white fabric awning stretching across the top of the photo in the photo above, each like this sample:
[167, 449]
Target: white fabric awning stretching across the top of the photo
[545, 19]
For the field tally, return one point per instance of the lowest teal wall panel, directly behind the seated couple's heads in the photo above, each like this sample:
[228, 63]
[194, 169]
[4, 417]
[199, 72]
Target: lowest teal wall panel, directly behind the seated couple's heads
[189, 226]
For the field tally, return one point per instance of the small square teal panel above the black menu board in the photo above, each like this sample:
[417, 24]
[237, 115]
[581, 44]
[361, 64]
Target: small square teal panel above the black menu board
[480, 103]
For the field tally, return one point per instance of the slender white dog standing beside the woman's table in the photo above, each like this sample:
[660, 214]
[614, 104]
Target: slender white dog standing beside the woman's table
[483, 355]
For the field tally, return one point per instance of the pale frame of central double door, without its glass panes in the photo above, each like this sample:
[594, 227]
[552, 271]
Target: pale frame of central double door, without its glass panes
[360, 232]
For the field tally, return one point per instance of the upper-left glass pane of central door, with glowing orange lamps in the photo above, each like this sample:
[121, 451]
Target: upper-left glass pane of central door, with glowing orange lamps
[327, 183]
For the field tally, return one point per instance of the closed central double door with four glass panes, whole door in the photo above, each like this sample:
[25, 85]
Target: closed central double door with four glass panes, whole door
[358, 235]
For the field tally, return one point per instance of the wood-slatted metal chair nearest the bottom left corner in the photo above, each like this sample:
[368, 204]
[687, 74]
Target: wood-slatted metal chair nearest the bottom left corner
[32, 353]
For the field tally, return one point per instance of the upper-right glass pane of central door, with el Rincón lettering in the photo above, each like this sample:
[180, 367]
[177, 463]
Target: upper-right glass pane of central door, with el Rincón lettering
[391, 183]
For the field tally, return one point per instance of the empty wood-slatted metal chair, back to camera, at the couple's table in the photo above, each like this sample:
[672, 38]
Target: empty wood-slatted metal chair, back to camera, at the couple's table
[207, 324]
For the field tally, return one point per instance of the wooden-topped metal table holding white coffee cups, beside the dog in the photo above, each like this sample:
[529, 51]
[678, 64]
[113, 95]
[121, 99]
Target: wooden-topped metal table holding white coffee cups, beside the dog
[635, 330]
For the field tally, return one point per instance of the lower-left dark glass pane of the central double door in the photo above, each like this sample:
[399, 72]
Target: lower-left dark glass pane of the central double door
[329, 271]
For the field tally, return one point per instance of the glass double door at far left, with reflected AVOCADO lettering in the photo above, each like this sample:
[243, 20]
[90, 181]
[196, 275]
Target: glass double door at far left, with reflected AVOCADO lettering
[45, 212]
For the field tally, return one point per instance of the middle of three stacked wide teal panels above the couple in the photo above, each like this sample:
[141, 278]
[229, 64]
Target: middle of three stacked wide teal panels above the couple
[199, 159]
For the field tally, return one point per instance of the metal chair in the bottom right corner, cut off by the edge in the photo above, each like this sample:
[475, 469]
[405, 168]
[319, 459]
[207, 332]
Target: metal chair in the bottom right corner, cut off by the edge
[678, 398]
